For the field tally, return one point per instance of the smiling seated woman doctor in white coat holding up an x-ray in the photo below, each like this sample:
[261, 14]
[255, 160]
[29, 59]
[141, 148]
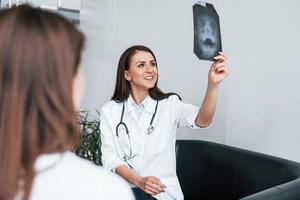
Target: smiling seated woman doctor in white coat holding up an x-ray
[138, 126]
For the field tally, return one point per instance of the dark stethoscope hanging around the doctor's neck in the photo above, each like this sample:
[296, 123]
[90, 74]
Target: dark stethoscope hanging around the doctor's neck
[149, 130]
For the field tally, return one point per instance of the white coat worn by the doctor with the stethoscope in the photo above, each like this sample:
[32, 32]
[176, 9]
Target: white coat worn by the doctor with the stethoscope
[153, 154]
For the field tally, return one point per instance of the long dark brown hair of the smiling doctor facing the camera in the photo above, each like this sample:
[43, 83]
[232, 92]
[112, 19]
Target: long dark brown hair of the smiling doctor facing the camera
[122, 88]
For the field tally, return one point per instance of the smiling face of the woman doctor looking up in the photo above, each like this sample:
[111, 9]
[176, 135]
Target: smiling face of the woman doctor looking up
[142, 72]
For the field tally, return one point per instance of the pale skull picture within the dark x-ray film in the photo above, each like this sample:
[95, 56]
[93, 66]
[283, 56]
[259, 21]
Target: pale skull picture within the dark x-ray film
[207, 36]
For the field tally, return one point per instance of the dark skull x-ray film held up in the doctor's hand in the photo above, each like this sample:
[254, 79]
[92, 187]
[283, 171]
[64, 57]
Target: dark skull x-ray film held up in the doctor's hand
[207, 34]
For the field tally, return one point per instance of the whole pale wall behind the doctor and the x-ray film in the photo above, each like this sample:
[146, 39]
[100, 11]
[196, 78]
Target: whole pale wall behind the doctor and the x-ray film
[258, 105]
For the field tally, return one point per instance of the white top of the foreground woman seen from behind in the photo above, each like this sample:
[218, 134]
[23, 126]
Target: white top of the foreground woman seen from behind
[67, 176]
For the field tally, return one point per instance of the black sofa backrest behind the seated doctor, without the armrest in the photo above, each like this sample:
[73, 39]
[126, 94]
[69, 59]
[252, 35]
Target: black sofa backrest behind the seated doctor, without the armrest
[209, 170]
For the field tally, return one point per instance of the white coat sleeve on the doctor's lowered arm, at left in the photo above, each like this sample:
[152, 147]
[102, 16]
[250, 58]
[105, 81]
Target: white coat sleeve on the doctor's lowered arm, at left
[110, 157]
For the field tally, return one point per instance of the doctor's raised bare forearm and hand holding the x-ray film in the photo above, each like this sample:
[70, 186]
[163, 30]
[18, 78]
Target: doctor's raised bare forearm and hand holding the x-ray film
[217, 73]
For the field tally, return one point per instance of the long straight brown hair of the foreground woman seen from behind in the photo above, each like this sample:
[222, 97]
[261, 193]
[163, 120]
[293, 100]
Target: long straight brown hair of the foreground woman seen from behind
[39, 57]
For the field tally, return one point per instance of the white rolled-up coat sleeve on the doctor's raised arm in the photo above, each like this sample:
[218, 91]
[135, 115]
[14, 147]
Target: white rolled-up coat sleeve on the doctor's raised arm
[186, 114]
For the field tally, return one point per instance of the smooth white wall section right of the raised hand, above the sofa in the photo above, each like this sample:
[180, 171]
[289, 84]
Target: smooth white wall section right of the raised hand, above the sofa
[263, 110]
